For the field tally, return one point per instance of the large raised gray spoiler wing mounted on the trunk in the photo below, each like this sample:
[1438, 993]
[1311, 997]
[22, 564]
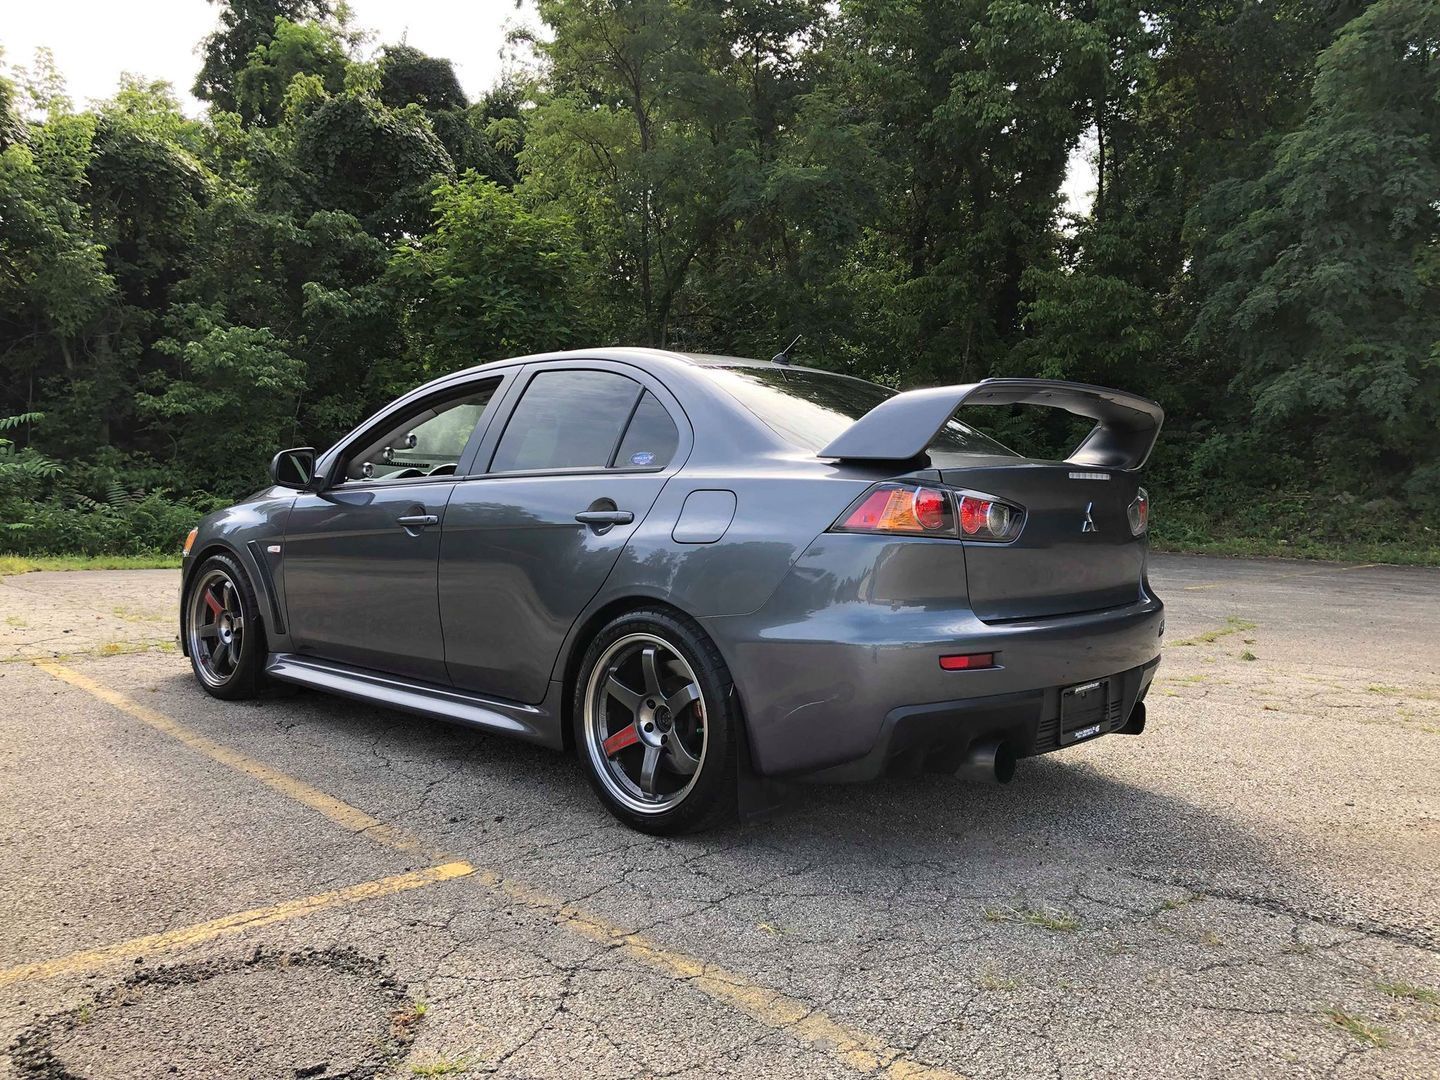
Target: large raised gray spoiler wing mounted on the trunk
[904, 427]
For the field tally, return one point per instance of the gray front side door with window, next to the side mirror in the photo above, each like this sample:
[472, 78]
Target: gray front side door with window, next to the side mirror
[361, 557]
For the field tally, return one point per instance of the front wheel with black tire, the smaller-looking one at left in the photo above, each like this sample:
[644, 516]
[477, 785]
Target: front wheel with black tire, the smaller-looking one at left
[240, 676]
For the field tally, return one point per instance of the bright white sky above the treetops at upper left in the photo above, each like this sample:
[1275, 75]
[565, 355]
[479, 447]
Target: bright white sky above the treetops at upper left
[94, 41]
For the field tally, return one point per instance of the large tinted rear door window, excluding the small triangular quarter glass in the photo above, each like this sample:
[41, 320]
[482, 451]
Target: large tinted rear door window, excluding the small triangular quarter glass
[565, 421]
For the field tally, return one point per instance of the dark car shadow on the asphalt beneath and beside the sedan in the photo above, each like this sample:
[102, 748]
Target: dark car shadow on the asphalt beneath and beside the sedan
[1059, 809]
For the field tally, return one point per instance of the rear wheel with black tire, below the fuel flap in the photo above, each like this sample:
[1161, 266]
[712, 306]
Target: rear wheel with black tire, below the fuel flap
[711, 724]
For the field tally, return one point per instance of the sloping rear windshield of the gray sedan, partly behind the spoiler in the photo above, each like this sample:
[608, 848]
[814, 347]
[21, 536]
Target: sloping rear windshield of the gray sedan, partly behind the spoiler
[813, 408]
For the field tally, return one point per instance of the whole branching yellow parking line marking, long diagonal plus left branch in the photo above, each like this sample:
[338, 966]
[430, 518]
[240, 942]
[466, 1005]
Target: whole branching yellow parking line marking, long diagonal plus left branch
[773, 1009]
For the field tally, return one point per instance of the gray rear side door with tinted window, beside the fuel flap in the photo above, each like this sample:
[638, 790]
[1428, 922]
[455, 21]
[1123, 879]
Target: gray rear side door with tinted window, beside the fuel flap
[572, 474]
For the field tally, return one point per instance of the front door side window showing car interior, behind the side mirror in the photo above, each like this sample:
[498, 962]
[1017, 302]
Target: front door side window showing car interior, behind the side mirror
[426, 443]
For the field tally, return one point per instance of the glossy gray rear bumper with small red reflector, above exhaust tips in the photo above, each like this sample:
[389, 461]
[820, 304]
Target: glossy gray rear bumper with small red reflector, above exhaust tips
[860, 685]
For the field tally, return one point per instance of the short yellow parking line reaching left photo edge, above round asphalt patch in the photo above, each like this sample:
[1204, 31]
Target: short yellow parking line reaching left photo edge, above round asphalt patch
[81, 963]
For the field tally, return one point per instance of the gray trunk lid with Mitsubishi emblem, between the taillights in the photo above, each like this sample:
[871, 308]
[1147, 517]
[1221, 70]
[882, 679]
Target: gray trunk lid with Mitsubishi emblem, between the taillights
[1056, 567]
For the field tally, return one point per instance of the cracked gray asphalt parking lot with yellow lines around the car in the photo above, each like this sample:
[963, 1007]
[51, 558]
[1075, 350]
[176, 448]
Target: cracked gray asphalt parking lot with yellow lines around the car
[307, 888]
